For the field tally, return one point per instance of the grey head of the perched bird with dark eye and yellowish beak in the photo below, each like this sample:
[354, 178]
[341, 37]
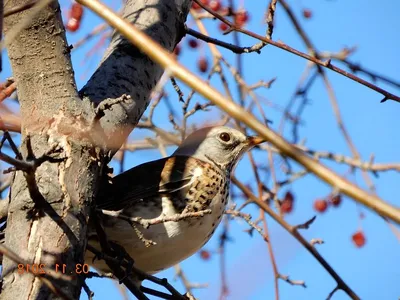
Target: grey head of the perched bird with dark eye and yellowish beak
[220, 145]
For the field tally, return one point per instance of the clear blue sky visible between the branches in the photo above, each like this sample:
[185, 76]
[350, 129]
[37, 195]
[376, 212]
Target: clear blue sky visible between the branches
[372, 271]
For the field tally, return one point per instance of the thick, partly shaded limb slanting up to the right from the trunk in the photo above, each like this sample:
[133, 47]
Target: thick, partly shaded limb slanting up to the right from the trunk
[126, 71]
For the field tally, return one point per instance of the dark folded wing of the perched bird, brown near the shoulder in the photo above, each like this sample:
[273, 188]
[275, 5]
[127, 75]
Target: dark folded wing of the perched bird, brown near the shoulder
[160, 177]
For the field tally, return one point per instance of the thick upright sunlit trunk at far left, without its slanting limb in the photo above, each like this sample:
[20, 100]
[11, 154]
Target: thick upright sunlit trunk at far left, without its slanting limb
[47, 93]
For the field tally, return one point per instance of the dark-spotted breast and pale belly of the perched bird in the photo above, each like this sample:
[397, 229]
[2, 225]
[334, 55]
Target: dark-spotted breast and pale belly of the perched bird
[172, 241]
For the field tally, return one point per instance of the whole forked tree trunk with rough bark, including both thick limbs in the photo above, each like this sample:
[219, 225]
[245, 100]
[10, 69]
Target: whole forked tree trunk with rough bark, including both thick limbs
[47, 218]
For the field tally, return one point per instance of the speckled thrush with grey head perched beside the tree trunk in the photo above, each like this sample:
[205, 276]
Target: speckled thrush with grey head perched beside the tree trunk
[195, 178]
